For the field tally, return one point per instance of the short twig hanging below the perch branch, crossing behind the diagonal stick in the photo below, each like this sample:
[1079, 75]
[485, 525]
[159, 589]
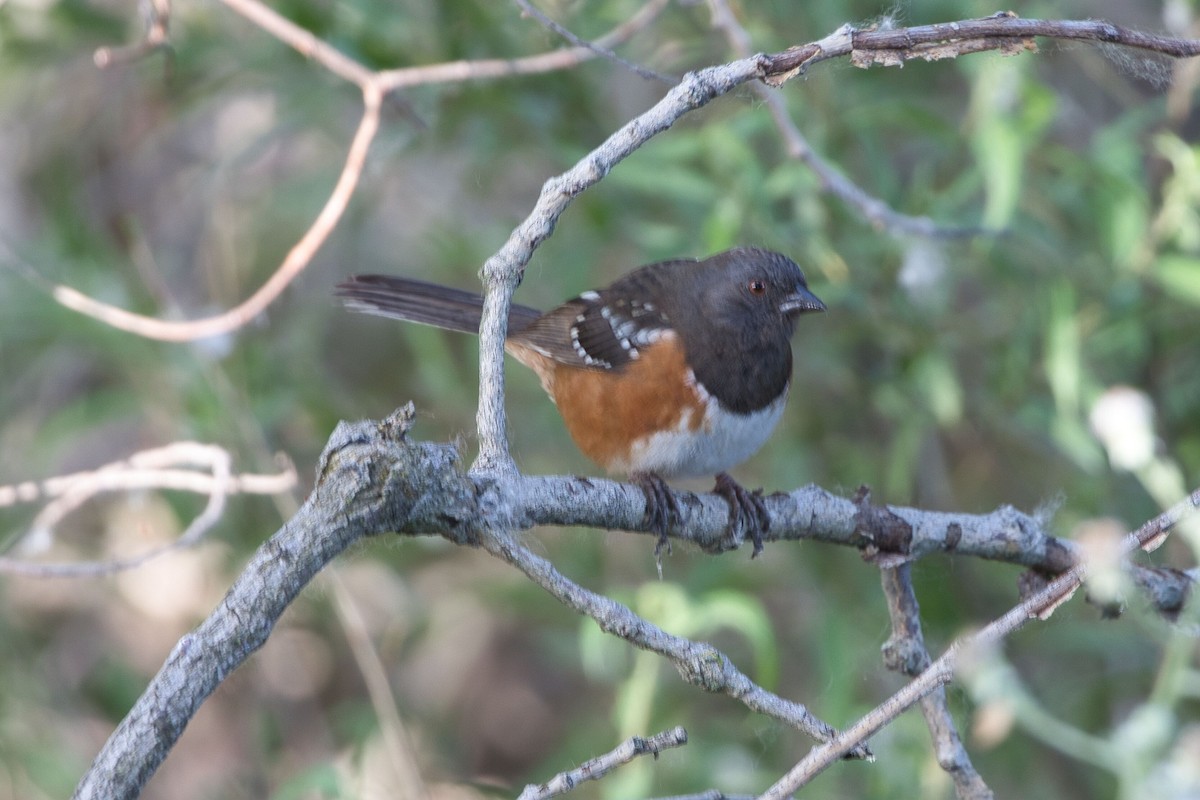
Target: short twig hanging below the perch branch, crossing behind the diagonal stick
[905, 653]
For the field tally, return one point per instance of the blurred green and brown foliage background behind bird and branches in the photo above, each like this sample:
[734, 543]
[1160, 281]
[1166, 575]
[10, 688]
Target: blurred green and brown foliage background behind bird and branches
[949, 374]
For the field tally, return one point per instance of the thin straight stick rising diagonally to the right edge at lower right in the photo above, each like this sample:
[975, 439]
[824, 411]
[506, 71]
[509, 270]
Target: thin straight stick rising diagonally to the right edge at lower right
[941, 672]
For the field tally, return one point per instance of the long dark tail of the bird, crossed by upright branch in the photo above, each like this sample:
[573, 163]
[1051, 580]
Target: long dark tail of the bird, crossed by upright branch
[418, 302]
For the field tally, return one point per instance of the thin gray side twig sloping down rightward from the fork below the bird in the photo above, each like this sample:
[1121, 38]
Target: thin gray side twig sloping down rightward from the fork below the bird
[699, 664]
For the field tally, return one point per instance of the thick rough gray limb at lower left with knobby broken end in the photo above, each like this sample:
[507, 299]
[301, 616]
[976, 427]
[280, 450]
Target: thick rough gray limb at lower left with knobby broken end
[369, 480]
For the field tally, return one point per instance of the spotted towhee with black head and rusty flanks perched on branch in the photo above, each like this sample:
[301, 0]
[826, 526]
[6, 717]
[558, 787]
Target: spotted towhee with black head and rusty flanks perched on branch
[679, 370]
